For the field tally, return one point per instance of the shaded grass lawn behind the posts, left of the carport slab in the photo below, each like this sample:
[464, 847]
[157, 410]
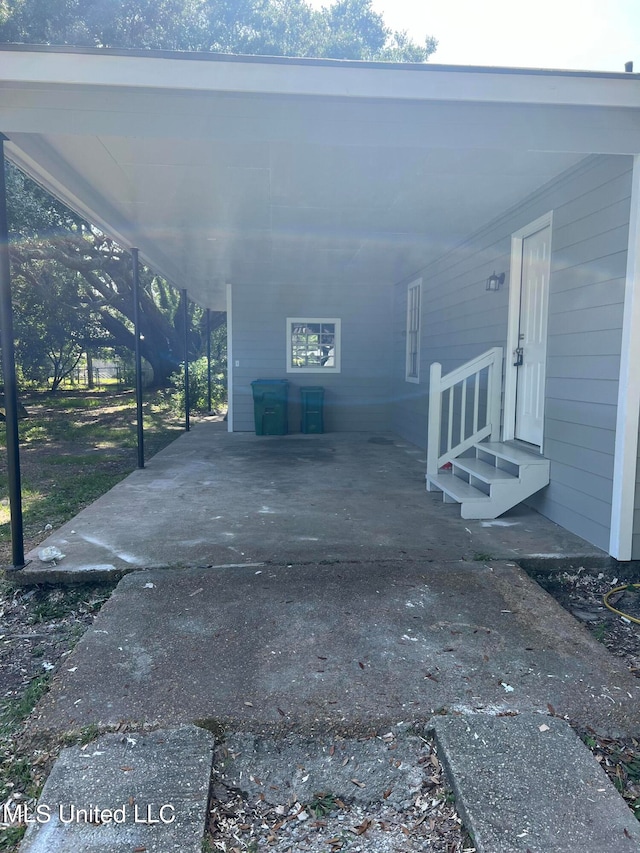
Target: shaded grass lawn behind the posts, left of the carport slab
[74, 446]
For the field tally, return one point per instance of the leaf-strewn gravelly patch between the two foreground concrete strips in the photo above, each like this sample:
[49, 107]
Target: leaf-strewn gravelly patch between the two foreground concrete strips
[328, 823]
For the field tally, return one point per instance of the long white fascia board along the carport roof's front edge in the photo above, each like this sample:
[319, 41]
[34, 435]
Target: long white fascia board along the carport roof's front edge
[299, 77]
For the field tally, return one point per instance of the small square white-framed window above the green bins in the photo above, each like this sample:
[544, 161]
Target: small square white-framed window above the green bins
[313, 345]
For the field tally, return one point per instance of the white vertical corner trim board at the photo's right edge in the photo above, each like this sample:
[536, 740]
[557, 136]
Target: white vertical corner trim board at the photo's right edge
[625, 464]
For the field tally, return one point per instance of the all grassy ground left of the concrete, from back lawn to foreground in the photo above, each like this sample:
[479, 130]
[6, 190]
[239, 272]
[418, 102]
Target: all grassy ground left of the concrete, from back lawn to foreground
[74, 446]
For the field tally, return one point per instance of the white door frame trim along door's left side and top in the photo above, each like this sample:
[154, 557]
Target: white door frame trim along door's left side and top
[513, 322]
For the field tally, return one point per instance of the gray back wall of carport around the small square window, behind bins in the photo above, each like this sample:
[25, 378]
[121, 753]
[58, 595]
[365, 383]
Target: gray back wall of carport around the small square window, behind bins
[357, 398]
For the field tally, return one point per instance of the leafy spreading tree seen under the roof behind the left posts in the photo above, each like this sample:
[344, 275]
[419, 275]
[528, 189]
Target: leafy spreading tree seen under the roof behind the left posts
[50, 242]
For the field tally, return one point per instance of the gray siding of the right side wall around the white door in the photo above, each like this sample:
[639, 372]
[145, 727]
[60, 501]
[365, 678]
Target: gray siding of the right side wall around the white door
[461, 319]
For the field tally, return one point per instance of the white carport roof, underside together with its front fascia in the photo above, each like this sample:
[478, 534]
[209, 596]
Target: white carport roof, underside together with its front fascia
[242, 169]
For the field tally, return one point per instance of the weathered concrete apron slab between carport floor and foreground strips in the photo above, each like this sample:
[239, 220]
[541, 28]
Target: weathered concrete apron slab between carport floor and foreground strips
[346, 647]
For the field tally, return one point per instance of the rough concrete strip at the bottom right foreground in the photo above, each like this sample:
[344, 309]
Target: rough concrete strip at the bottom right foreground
[527, 784]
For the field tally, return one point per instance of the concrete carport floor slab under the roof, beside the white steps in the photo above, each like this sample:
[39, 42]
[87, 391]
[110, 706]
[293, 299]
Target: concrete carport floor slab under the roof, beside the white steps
[214, 498]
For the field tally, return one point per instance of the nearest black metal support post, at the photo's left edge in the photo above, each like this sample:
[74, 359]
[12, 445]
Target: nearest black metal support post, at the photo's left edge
[9, 373]
